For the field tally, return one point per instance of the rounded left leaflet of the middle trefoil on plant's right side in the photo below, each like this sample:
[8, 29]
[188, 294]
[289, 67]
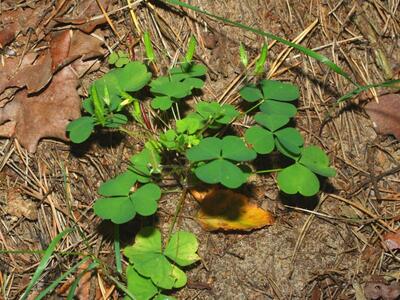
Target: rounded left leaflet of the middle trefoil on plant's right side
[260, 139]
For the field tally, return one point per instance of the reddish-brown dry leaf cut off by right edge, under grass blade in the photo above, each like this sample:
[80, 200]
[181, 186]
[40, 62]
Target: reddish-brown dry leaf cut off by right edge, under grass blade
[385, 115]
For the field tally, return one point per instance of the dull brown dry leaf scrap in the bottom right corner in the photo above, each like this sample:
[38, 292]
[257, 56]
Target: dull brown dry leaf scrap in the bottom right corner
[377, 289]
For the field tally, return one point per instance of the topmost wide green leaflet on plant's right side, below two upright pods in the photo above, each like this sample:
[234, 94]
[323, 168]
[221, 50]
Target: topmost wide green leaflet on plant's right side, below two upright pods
[276, 90]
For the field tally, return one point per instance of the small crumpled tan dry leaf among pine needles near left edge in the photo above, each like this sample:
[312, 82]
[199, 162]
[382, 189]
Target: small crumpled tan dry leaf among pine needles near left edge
[18, 207]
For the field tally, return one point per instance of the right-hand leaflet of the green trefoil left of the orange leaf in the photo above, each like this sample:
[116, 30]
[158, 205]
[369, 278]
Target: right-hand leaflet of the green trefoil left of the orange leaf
[145, 199]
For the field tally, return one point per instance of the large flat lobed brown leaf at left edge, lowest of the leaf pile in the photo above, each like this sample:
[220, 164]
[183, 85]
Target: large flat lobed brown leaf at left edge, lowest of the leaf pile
[30, 118]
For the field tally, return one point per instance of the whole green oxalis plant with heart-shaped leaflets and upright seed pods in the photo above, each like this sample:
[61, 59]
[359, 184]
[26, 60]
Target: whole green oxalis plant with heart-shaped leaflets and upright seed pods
[187, 144]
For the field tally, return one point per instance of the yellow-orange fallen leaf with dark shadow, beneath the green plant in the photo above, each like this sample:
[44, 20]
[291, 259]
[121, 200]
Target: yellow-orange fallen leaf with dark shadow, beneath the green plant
[222, 209]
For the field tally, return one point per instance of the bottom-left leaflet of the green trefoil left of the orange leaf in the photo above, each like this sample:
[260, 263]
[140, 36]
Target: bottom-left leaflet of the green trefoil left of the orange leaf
[117, 209]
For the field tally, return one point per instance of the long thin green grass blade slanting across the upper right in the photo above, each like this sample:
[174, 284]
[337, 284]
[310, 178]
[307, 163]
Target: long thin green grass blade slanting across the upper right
[319, 57]
